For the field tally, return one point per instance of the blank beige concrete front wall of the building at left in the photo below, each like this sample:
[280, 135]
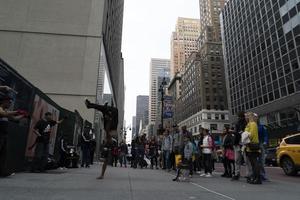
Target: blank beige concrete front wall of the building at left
[56, 50]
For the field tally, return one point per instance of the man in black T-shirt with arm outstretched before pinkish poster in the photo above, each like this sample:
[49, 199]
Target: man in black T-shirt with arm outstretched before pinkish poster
[43, 130]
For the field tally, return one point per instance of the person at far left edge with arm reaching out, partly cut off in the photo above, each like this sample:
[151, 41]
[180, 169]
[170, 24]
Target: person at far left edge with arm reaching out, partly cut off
[5, 115]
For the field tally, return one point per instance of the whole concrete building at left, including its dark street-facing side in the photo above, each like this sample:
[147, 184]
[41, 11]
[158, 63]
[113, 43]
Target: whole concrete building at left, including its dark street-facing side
[64, 47]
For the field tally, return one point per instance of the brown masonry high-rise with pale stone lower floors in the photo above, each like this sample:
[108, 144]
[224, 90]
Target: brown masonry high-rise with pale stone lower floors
[203, 100]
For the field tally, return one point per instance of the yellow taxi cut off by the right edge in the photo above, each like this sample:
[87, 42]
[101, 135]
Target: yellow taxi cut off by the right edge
[288, 154]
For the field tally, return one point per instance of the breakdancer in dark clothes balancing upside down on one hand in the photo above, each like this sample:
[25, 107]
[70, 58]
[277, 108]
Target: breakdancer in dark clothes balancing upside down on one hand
[110, 115]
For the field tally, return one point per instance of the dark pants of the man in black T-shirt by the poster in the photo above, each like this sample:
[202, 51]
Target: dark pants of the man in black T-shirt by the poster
[41, 154]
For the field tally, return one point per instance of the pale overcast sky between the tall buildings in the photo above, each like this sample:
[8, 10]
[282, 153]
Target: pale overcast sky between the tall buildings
[147, 29]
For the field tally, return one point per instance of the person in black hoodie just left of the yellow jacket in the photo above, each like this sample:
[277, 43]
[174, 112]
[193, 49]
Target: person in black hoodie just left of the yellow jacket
[239, 129]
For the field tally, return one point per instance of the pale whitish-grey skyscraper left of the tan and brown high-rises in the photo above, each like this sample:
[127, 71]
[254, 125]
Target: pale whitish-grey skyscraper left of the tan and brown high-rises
[158, 68]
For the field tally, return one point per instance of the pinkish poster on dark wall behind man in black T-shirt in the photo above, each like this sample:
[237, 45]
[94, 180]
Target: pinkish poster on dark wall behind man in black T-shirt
[40, 107]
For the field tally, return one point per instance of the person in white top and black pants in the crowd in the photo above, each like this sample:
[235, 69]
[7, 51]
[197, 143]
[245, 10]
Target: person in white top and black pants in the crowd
[207, 146]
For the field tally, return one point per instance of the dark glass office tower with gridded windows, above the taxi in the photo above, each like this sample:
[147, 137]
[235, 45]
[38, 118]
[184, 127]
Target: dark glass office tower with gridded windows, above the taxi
[262, 51]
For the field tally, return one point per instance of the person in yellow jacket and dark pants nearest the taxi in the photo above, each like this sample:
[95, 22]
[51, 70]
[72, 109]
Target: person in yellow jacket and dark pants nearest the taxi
[252, 150]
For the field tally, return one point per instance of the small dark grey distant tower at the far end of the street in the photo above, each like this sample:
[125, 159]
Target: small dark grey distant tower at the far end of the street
[142, 105]
